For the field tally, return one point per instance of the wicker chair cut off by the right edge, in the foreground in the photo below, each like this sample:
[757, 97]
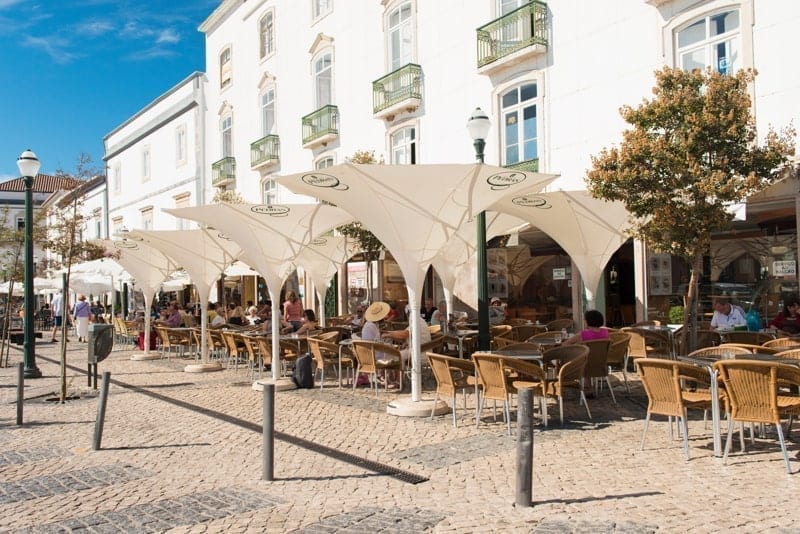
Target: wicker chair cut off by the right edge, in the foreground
[752, 388]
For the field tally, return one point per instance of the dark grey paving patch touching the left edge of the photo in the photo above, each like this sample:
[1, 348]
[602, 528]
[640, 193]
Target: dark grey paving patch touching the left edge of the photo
[67, 482]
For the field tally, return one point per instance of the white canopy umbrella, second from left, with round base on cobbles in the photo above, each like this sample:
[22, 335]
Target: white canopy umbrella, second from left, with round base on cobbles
[203, 254]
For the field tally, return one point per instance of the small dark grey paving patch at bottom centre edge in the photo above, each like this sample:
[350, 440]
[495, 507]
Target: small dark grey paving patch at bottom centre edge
[369, 519]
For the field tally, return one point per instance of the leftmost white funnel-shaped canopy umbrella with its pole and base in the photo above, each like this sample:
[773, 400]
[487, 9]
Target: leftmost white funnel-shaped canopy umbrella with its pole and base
[149, 267]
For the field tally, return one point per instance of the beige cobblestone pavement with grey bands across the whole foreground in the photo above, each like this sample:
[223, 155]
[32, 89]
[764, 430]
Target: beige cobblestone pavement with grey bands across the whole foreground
[182, 453]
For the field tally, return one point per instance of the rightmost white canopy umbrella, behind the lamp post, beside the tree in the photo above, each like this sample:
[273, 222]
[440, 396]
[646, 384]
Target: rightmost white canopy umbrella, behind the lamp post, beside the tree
[590, 230]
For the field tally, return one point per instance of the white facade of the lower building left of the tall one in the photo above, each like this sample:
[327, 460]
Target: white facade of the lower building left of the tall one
[156, 160]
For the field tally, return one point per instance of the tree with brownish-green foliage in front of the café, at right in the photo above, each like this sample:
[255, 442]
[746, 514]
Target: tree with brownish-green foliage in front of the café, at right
[692, 150]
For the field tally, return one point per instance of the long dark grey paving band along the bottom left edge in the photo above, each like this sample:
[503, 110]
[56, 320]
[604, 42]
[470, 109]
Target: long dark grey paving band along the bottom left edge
[162, 515]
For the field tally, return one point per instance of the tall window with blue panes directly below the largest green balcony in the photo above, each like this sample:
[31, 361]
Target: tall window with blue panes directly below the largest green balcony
[520, 132]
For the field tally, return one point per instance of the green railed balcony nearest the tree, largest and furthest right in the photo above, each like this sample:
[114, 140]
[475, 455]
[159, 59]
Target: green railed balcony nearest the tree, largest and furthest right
[524, 27]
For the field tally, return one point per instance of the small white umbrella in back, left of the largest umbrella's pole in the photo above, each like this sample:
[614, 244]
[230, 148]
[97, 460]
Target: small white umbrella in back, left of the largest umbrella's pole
[322, 259]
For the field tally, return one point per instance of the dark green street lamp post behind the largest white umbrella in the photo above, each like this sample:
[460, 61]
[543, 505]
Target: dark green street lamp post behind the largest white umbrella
[478, 126]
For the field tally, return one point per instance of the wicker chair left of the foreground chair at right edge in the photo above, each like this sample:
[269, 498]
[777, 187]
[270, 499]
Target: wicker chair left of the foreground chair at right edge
[662, 380]
